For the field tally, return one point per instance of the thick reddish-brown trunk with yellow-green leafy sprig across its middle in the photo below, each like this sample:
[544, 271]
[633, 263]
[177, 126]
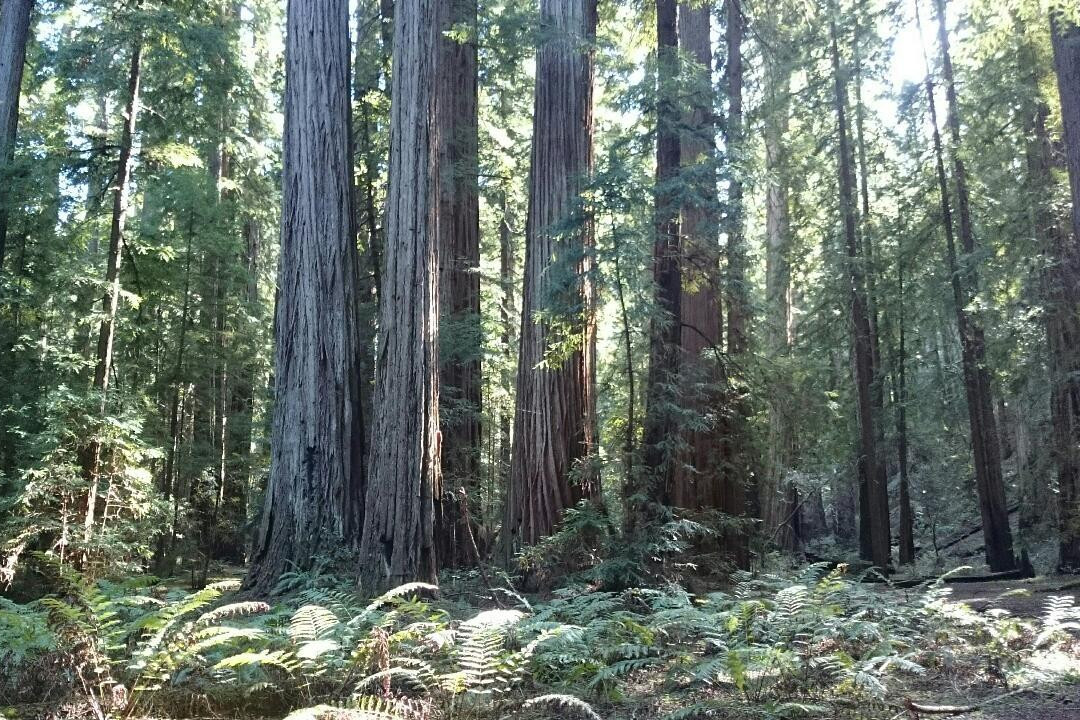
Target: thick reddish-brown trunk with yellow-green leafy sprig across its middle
[555, 416]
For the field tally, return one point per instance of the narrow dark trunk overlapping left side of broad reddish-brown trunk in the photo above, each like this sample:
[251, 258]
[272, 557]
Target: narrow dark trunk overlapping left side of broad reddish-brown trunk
[666, 330]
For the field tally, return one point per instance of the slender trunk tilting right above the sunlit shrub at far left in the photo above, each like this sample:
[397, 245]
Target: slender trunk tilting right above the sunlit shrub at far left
[91, 457]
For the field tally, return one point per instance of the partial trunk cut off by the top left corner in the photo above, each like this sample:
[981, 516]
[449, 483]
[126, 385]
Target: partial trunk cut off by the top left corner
[15, 31]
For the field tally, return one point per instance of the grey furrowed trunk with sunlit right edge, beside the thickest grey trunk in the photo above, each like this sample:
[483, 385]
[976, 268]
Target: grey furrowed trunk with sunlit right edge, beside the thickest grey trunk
[404, 476]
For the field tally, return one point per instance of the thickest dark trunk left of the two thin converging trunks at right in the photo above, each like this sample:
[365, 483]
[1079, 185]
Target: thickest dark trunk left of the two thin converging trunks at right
[871, 515]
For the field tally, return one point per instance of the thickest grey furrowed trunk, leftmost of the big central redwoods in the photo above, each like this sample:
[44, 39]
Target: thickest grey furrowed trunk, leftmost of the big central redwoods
[315, 495]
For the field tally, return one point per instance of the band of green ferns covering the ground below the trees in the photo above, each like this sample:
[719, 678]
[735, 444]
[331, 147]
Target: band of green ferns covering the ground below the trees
[769, 646]
